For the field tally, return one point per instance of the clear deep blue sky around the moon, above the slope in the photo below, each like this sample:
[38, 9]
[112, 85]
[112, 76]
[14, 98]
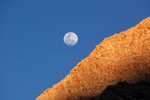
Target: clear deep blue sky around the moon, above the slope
[33, 55]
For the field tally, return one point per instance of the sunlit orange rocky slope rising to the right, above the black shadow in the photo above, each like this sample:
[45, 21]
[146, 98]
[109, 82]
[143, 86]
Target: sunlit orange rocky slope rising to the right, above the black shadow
[121, 57]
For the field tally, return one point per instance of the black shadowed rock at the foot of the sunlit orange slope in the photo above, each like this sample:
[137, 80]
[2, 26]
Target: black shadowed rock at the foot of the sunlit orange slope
[125, 91]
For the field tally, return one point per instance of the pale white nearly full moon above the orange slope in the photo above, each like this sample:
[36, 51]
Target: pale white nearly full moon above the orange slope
[70, 39]
